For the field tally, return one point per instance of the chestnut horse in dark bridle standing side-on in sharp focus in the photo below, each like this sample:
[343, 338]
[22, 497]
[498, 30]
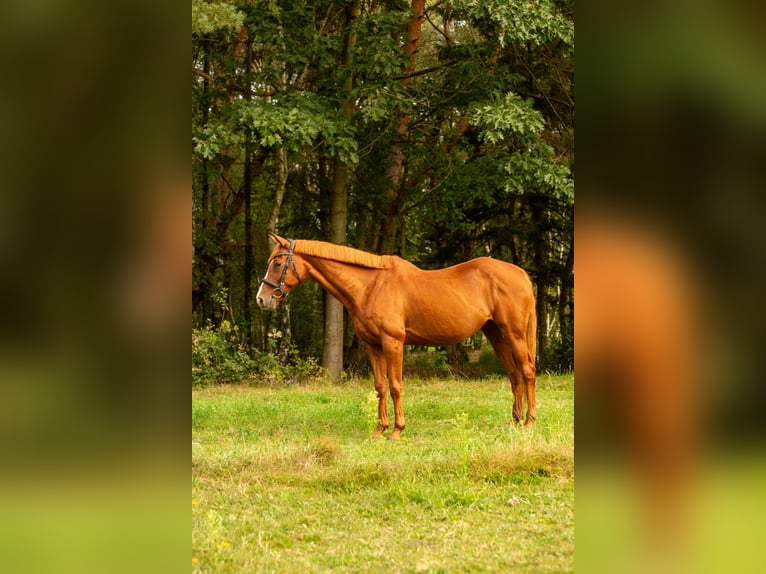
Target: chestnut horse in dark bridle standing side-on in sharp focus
[393, 303]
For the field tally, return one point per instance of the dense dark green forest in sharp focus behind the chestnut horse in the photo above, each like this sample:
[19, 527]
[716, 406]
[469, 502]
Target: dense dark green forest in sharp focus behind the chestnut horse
[438, 131]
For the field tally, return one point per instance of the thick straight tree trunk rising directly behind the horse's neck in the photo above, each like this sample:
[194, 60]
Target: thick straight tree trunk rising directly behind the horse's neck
[332, 353]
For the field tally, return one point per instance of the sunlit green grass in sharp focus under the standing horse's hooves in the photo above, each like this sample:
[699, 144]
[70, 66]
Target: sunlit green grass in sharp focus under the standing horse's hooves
[289, 480]
